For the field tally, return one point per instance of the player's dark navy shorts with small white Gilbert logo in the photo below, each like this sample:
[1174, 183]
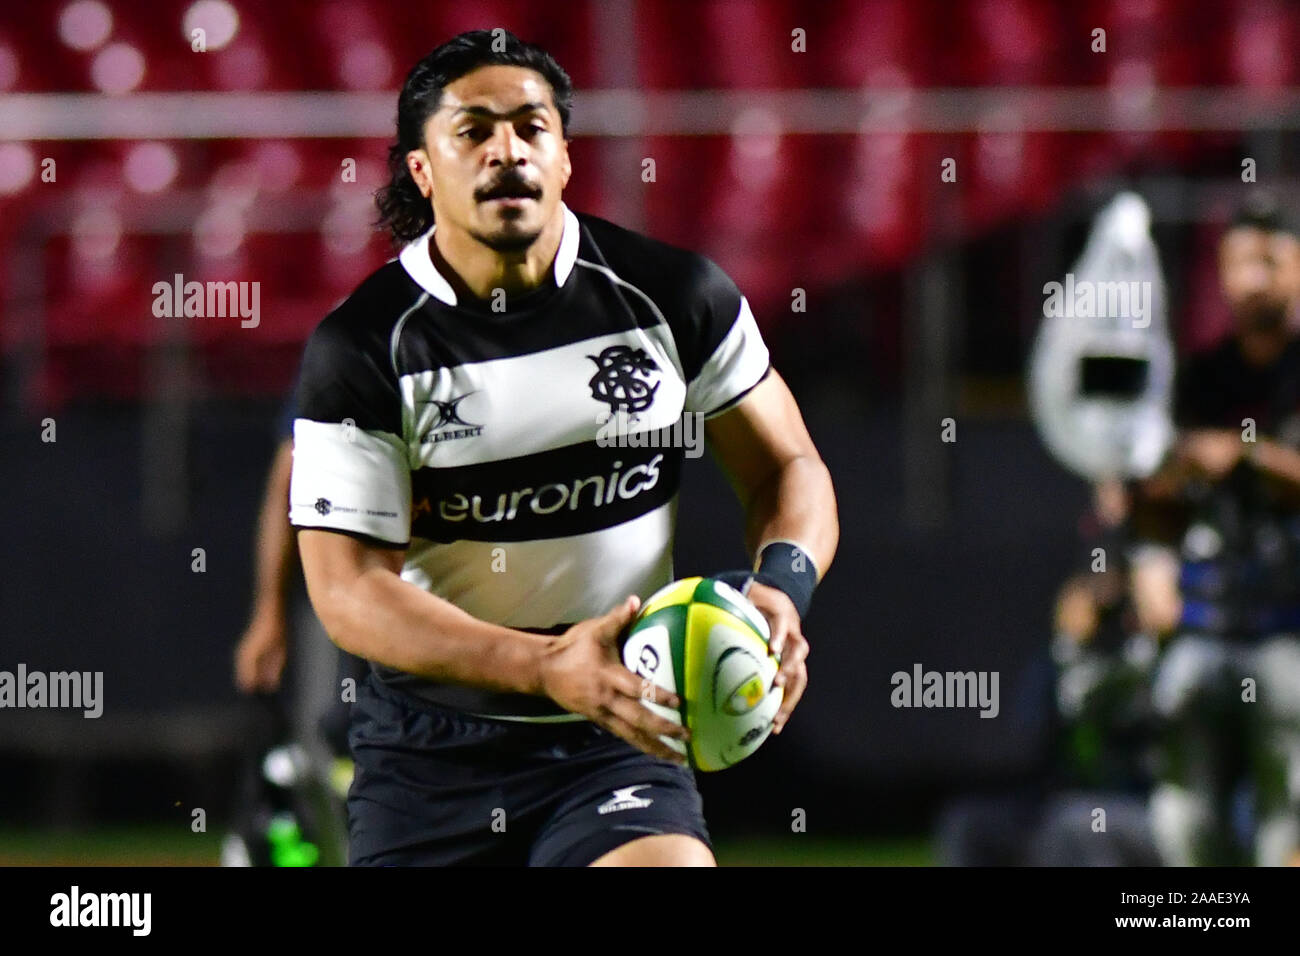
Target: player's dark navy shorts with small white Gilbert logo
[437, 786]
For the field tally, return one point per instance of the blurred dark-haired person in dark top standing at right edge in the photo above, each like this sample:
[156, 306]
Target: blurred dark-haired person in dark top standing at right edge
[1219, 574]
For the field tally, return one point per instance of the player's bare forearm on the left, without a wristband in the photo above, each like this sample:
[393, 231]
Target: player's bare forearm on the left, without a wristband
[382, 618]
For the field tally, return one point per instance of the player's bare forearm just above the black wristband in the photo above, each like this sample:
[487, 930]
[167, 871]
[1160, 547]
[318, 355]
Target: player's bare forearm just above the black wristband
[798, 504]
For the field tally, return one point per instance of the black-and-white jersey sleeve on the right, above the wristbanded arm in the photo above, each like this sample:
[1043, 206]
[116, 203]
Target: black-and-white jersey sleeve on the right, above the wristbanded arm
[729, 356]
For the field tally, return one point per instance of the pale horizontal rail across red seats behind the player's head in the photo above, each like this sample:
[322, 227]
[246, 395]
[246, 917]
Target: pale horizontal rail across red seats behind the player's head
[638, 114]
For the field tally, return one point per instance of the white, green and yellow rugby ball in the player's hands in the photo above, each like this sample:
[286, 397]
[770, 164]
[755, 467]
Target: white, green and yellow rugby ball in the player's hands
[704, 641]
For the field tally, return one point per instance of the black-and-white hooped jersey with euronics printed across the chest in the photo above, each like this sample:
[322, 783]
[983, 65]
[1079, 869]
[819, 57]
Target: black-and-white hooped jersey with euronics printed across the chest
[486, 443]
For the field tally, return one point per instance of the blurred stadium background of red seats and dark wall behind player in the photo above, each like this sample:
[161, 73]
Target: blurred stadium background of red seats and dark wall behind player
[801, 146]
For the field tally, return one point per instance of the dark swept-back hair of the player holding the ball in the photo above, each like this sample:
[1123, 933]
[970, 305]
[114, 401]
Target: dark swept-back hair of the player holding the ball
[404, 211]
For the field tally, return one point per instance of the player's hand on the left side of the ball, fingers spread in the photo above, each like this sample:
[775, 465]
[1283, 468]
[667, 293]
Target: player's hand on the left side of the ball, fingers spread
[583, 673]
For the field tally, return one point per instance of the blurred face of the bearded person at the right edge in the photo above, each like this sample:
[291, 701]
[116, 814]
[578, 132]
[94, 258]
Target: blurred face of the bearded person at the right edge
[1259, 271]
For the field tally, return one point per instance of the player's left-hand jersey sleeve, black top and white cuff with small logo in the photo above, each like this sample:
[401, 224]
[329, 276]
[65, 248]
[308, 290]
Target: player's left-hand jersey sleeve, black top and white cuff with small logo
[352, 471]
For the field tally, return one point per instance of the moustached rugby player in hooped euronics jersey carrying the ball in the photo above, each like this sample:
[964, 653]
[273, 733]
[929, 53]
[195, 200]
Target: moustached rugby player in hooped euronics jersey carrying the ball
[463, 527]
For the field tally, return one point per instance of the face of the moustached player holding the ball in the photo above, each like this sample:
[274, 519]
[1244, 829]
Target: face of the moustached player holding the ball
[496, 161]
